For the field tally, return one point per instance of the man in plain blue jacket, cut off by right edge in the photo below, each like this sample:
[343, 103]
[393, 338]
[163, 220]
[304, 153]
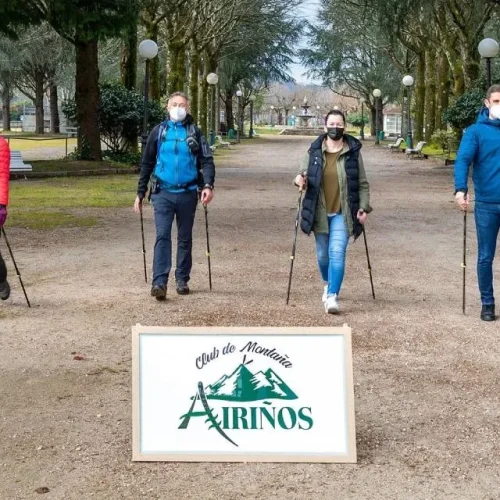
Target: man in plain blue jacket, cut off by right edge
[480, 147]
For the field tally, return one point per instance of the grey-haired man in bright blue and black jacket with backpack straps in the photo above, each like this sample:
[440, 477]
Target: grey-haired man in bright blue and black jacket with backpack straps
[179, 163]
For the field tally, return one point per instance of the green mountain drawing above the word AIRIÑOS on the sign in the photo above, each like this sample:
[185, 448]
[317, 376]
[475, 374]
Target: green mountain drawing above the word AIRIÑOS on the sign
[243, 385]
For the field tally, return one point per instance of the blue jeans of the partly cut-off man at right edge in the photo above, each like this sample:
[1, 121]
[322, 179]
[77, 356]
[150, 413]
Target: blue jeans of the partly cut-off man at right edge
[487, 216]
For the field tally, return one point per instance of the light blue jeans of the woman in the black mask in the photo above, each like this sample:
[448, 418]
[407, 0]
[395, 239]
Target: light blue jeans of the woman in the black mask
[331, 251]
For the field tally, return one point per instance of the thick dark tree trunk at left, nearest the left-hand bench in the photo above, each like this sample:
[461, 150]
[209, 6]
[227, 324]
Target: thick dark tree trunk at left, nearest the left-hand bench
[87, 99]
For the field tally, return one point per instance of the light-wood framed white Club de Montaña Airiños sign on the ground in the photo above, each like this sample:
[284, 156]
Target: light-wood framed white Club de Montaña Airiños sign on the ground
[226, 394]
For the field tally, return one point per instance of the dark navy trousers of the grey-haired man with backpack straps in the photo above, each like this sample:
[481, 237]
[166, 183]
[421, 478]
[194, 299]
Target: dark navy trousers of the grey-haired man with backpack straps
[182, 206]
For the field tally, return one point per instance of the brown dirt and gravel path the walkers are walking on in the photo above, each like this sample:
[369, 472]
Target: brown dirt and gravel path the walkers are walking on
[427, 378]
